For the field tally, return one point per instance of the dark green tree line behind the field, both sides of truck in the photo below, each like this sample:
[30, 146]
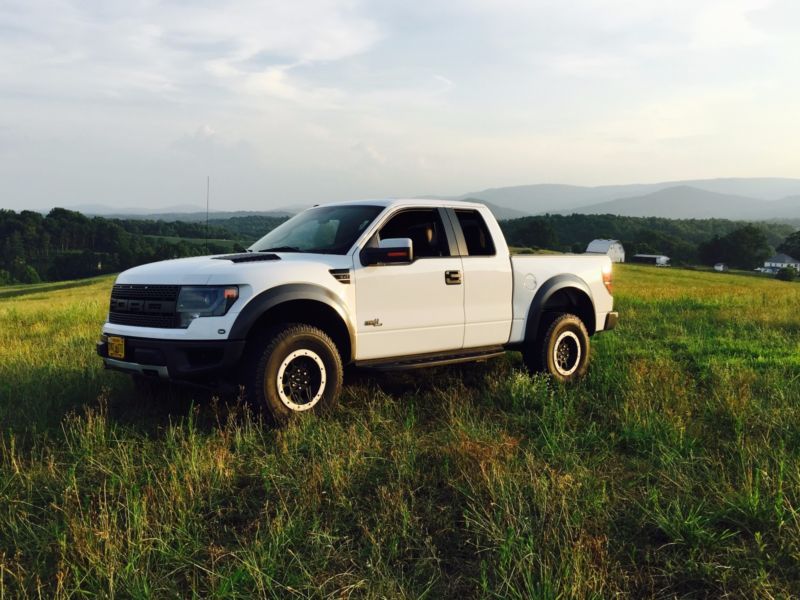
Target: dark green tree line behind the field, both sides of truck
[68, 245]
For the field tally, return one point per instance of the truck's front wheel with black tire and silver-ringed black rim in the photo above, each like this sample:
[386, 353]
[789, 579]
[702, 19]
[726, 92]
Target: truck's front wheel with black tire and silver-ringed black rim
[297, 369]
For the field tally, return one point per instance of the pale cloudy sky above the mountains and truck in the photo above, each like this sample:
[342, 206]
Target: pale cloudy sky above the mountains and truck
[284, 103]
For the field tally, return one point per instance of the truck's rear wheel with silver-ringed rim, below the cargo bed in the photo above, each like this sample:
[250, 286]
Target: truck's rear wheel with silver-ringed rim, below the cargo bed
[561, 348]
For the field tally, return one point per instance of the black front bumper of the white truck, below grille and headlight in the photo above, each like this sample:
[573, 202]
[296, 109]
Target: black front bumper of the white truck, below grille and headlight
[196, 360]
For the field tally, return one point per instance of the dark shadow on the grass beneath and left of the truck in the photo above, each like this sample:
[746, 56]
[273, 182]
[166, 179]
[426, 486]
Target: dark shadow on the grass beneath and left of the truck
[41, 400]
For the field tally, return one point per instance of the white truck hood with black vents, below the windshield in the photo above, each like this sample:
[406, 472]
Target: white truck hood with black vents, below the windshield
[232, 269]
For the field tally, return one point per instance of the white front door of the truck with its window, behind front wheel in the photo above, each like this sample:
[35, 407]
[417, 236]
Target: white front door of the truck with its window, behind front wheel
[416, 308]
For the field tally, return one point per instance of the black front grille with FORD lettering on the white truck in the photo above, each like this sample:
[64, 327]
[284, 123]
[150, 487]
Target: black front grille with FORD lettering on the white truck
[144, 305]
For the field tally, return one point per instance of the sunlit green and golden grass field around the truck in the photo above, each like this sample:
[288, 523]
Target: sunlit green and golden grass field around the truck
[673, 470]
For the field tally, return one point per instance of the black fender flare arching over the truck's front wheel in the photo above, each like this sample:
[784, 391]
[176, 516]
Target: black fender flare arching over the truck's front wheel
[281, 294]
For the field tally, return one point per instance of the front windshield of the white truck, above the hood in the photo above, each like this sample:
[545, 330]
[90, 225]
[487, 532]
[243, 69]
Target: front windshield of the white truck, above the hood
[323, 230]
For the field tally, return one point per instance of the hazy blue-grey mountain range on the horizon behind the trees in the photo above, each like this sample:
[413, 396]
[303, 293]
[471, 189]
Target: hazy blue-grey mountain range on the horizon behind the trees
[747, 199]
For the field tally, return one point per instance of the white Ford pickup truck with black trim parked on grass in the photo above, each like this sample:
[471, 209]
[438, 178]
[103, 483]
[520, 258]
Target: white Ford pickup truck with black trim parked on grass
[386, 284]
